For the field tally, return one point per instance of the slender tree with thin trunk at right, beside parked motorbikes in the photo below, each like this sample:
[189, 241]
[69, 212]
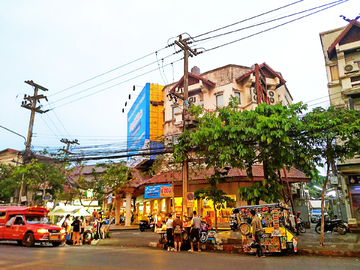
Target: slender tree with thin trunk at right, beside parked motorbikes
[330, 135]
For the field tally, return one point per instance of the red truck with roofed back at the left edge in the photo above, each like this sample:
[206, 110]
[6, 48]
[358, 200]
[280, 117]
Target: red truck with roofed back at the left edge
[28, 225]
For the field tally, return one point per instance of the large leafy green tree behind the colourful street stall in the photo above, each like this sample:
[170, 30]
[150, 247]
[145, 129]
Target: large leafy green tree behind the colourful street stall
[229, 137]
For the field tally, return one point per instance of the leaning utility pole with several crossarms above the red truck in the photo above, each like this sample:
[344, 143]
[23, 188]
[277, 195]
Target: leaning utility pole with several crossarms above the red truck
[30, 104]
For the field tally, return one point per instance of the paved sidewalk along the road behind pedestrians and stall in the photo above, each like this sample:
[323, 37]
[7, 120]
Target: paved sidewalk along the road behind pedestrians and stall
[308, 243]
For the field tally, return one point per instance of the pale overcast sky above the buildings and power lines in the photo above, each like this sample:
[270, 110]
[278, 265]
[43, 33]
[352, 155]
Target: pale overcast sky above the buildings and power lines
[90, 54]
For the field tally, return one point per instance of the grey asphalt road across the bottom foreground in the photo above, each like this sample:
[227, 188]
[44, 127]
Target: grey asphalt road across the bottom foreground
[108, 257]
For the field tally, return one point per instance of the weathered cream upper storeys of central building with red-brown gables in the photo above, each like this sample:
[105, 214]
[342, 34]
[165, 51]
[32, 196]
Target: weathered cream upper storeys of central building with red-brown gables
[214, 88]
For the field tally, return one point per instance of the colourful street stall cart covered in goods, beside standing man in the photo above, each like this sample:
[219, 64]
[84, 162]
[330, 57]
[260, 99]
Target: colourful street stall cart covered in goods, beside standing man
[276, 237]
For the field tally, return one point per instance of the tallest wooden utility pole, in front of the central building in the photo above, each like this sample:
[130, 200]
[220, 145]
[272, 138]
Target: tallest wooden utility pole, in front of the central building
[185, 168]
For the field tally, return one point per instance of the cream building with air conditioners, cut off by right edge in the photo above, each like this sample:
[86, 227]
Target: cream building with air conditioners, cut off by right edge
[341, 48]
